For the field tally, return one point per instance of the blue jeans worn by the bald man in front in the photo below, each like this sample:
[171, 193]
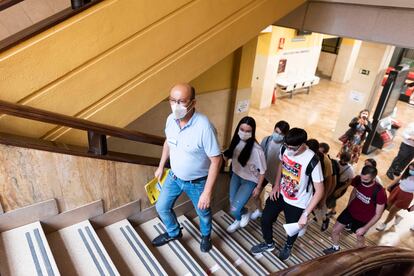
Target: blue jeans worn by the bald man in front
[171, 190]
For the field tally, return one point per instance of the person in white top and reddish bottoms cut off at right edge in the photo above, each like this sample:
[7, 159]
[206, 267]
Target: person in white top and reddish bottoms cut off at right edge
[401, 195]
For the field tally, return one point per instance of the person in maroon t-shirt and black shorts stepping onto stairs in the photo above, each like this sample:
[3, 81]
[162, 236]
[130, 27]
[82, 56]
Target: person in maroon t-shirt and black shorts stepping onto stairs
[365, 207]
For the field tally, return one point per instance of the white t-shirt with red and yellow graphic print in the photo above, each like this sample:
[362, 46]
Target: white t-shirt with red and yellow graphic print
[294, 179]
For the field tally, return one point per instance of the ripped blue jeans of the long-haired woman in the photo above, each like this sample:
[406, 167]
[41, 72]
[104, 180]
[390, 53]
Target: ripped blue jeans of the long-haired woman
[240, 192]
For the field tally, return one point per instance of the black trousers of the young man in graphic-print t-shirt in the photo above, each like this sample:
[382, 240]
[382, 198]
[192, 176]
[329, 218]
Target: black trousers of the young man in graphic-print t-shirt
[271, 212]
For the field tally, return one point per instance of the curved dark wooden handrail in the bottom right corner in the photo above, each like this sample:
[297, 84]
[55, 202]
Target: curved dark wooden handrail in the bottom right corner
[354, 262]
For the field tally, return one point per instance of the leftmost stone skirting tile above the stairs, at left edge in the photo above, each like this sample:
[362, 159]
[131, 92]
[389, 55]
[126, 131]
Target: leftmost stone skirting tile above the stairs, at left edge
[29, 214]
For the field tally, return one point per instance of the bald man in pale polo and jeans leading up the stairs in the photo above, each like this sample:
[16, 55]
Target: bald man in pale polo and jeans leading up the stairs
[195, 158]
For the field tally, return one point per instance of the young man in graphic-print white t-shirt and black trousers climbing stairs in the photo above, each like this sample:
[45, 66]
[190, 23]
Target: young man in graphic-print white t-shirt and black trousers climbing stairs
[297, 189]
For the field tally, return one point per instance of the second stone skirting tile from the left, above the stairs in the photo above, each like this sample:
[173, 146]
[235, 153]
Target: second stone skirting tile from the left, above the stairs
[73, 216]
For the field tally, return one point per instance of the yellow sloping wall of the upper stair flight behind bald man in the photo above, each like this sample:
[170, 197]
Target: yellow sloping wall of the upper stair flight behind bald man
[110, 65]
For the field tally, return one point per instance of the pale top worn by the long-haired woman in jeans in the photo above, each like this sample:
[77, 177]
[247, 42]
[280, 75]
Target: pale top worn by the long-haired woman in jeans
[255, 166]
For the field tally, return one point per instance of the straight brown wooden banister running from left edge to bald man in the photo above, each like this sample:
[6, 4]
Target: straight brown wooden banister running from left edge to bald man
[31, 113]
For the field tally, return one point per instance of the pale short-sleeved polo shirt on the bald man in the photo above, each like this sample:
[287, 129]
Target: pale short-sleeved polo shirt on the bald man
[191, 146]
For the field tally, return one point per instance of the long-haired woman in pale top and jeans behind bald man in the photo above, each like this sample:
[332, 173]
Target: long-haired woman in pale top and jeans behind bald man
[248, 168]
